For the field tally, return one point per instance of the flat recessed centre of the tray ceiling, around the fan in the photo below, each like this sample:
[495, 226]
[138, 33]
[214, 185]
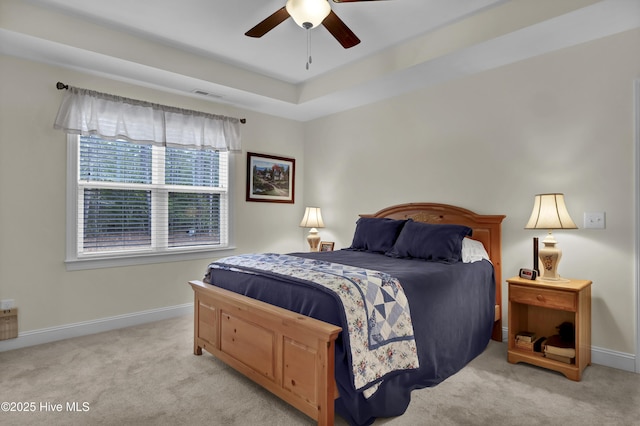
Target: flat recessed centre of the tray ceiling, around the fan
[215, 28]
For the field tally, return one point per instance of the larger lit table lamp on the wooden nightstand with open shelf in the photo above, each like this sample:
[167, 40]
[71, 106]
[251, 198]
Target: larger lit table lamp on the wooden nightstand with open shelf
[550, 212]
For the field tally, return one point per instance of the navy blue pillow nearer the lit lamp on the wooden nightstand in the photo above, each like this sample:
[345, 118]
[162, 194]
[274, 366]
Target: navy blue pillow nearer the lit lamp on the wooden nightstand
[432, 242]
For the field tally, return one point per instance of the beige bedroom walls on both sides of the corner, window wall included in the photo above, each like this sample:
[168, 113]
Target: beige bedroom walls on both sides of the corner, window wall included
[561, 122]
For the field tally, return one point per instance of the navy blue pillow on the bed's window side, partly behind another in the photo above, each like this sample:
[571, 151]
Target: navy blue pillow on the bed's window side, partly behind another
[376, 234]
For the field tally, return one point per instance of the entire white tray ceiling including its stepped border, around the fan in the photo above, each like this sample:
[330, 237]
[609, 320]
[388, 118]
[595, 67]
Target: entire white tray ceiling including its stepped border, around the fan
[182, 45]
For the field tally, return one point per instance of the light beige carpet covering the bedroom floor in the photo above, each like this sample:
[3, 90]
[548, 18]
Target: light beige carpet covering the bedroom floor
[147, 375]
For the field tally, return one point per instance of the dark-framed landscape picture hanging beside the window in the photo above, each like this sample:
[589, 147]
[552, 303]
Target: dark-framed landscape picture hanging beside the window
[270, 179]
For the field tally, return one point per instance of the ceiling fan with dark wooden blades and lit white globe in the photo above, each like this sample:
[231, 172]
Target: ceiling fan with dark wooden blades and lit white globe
[309, 14]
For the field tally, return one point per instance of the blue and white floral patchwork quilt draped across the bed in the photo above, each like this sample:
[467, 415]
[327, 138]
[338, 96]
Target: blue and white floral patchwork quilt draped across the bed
[378, 318]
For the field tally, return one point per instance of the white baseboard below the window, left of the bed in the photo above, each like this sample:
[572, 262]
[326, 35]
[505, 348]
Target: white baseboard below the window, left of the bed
[52, 334]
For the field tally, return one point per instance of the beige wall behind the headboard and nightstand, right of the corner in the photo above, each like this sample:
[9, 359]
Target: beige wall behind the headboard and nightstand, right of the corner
[562, 122]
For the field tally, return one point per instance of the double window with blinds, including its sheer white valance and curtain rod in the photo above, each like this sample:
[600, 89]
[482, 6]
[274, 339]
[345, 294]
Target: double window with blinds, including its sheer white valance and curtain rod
[145, 182]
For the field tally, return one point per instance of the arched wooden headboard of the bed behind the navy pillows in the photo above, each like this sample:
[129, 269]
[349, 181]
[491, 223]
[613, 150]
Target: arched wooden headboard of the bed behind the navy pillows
[486, 228]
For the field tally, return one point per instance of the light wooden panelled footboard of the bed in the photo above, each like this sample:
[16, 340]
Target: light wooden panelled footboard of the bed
[289, 354]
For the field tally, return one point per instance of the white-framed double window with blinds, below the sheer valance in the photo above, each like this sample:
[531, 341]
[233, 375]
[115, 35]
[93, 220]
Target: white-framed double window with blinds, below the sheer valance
[139, 199]
